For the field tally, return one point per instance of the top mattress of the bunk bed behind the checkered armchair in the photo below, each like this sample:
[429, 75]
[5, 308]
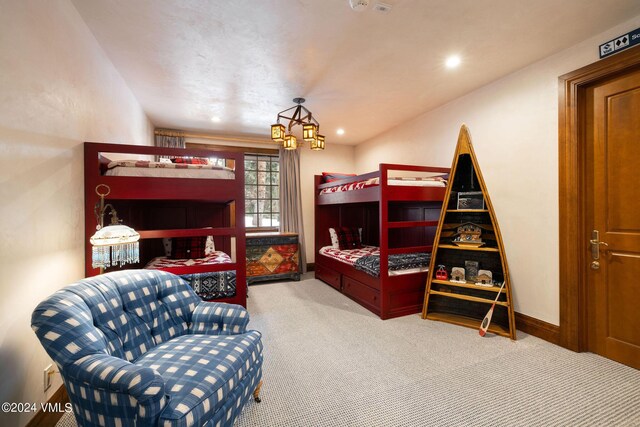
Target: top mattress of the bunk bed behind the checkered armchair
[167, 170]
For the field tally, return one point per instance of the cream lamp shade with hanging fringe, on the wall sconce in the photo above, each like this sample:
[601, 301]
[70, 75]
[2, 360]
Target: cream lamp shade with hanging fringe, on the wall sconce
[115, 244]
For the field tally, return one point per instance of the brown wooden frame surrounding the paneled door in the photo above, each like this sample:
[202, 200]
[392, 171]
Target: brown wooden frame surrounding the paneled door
[572, 190]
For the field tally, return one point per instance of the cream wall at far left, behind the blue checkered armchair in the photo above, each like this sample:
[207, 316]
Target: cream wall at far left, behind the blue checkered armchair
[57, 89]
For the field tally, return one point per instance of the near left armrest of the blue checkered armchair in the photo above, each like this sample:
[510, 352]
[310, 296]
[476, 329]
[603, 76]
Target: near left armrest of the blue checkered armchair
[116, 386]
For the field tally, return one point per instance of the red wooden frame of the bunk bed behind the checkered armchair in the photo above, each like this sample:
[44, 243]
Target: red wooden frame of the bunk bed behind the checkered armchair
[225, 192]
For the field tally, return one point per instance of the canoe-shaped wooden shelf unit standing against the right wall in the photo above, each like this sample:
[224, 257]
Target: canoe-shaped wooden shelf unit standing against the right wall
[462, 303]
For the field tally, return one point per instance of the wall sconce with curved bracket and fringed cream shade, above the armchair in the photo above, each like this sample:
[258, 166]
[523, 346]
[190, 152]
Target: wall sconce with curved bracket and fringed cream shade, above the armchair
[115, 244]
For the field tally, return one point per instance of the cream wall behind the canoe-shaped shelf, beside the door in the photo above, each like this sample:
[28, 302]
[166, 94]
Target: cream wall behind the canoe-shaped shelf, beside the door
[514, 128]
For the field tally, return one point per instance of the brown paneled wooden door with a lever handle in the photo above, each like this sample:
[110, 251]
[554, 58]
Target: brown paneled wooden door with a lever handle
[613, 211]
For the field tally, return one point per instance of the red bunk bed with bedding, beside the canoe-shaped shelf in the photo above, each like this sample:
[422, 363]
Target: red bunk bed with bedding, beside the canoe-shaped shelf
[395, 211]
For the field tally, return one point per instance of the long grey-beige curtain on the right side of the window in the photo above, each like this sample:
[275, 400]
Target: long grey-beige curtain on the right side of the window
[291, 199]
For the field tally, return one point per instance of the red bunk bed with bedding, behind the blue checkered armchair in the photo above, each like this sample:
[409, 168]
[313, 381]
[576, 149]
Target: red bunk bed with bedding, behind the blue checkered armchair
[175, 199]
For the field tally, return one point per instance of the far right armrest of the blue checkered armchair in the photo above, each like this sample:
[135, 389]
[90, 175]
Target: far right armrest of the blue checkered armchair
[214, 318]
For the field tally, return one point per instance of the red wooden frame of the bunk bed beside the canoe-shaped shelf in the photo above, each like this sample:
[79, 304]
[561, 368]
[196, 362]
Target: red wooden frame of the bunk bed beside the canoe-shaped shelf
[393, 218]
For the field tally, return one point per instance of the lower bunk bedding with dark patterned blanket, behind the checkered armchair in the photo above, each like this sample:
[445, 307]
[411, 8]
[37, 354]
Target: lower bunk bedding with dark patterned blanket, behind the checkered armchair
[208, 285]
